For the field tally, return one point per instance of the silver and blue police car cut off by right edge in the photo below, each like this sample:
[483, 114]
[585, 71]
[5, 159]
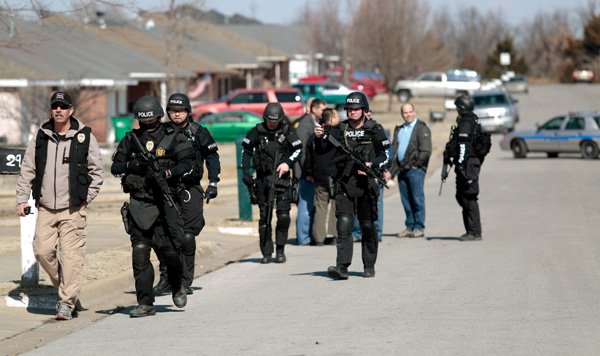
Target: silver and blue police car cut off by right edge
[569, 133]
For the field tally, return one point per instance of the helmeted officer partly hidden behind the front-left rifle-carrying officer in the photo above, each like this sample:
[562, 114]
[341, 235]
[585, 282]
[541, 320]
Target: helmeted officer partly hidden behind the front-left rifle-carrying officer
[179, 111]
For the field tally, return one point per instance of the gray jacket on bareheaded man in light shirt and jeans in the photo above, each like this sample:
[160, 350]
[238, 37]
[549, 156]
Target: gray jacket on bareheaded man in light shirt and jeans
[418, 150]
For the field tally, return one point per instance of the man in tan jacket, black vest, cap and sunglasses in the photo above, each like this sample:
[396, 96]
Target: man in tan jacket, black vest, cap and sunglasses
[62, 169]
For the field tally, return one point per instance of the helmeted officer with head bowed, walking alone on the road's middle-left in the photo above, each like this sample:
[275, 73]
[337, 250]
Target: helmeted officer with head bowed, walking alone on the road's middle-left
[273, 147]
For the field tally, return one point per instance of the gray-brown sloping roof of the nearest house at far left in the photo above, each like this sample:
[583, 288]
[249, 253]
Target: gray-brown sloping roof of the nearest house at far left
[58, 49]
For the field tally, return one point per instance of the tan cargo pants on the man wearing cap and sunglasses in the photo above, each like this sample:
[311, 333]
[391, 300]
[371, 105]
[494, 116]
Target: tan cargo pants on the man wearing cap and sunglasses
[59, 246]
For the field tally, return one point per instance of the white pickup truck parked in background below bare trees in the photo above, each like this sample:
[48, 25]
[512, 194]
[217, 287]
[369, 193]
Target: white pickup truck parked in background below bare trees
[438, 84]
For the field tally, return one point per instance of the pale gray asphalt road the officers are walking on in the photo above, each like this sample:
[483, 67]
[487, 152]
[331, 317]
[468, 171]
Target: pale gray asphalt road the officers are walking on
[530, 287]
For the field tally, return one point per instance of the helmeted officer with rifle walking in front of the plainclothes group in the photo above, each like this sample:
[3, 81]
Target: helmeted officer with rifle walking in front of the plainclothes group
[357, 192]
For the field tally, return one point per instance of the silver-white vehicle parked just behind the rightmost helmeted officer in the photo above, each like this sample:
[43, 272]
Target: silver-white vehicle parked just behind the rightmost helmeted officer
[497, 110]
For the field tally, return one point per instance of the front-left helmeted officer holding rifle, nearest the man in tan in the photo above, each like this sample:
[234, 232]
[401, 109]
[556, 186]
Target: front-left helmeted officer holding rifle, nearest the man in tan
[152, 215]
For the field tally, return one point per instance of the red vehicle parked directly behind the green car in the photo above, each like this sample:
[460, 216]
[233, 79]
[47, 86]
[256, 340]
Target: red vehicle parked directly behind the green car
[255, 100]
